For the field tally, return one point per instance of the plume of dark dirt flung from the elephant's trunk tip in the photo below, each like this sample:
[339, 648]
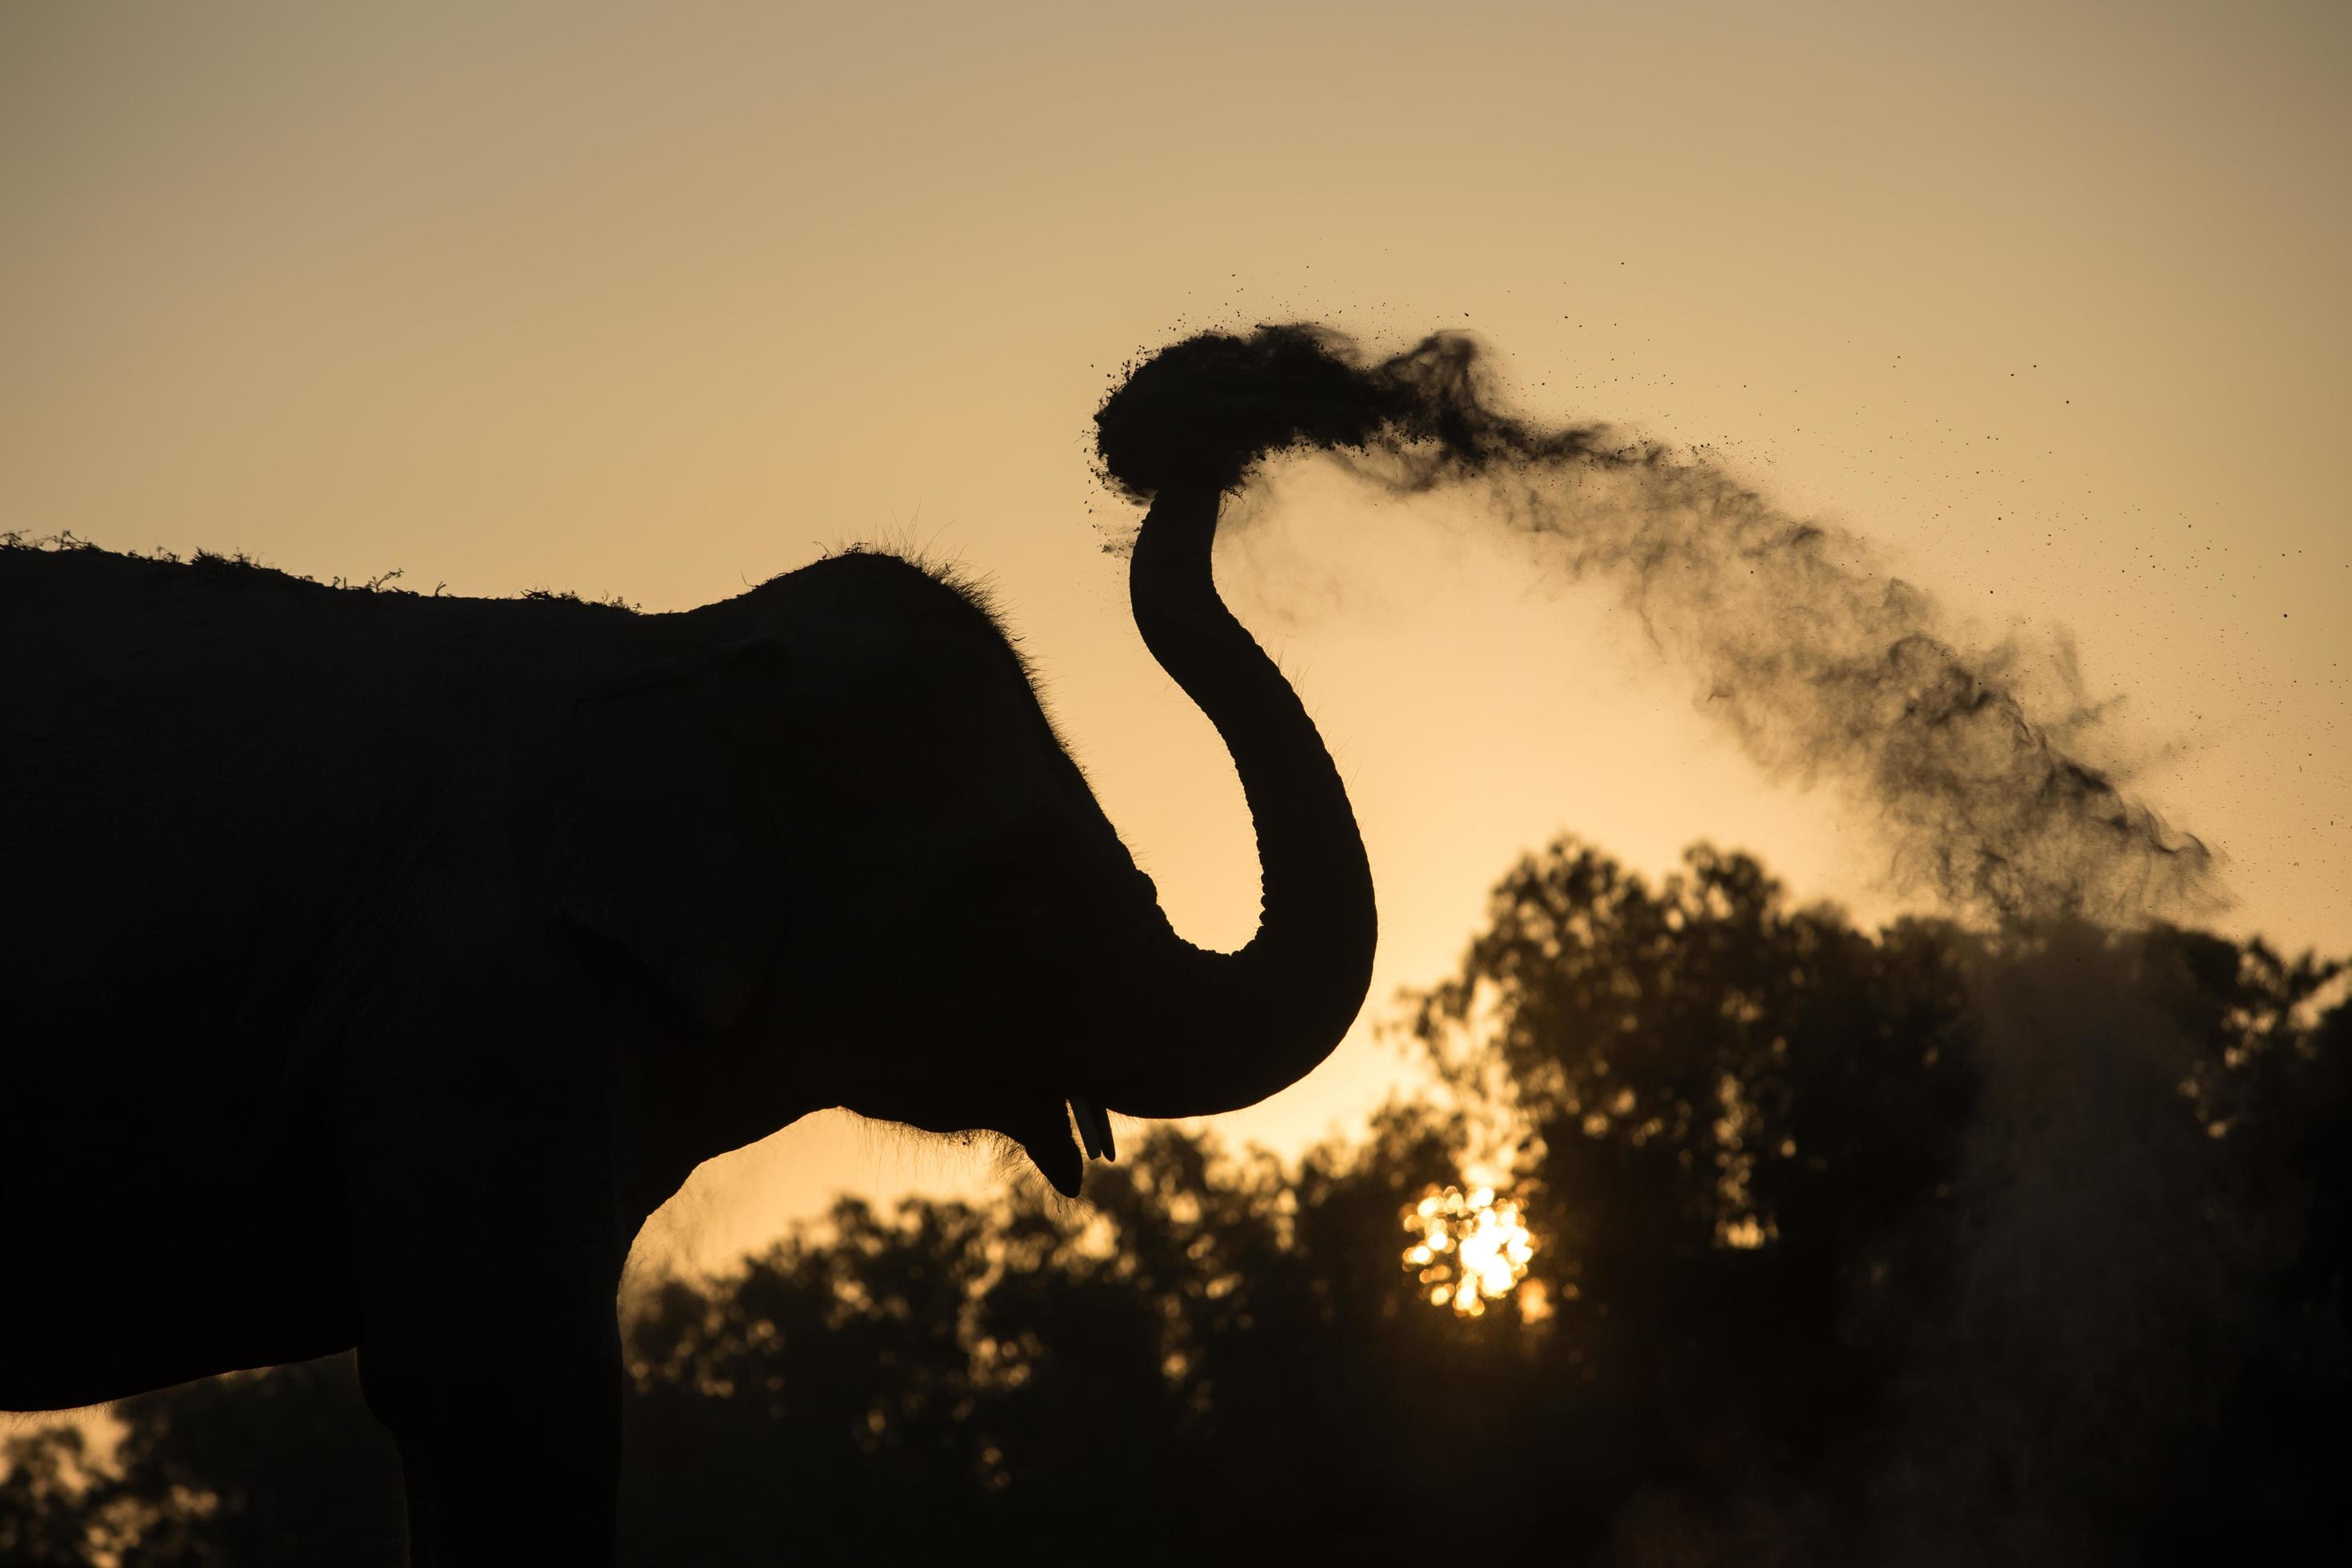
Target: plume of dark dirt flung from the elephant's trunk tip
[1822, 664]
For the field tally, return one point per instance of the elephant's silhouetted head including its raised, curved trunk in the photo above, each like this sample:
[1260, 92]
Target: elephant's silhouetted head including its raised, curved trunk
[848, 840]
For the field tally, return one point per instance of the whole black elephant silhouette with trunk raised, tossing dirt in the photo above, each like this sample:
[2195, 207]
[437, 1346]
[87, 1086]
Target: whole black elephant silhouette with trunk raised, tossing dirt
[370, 956]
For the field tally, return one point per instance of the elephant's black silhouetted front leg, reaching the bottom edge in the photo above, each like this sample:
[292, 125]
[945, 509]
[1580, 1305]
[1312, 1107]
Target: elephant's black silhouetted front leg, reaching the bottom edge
[488, 1264]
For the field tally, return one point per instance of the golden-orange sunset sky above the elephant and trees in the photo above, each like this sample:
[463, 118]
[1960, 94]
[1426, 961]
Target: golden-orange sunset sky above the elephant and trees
[2045, 300]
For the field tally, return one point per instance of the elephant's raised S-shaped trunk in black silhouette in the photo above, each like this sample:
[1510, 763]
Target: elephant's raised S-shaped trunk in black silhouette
[1234, 1028]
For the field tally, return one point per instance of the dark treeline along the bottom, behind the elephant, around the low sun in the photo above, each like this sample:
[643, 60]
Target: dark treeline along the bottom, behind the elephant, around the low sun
[1923, 1247]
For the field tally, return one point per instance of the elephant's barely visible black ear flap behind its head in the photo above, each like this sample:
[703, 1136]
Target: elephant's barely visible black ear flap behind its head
[667, 838]
